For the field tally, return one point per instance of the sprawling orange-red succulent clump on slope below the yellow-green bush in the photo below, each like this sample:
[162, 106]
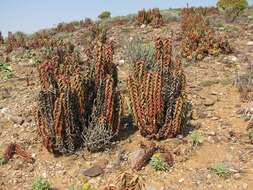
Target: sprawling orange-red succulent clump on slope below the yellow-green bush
[199, 39]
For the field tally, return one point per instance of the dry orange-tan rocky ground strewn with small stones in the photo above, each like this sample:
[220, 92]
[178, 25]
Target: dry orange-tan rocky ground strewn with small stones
[215, 99]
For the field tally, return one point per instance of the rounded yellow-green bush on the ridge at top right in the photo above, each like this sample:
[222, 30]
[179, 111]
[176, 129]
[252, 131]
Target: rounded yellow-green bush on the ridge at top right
[232, 8]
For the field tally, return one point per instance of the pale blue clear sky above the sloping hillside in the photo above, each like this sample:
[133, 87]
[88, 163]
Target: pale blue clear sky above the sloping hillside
[31, 15]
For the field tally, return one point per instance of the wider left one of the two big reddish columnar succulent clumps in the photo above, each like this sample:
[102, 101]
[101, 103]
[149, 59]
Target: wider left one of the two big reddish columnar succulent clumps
[79, 104]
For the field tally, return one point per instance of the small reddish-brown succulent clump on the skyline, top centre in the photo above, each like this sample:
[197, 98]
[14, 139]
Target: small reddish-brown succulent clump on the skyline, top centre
[151, 16]
